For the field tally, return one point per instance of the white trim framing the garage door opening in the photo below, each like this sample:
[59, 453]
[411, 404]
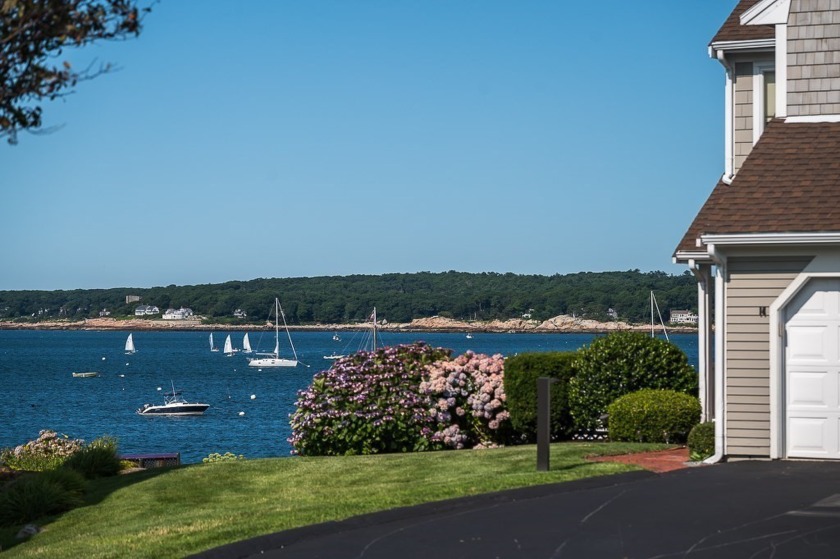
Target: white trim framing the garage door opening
[824, 265]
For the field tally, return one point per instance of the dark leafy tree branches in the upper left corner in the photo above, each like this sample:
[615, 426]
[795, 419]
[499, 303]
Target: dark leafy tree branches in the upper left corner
[33, 35]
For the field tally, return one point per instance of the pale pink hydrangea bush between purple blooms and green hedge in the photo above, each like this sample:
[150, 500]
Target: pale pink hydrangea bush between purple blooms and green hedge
[468, 401]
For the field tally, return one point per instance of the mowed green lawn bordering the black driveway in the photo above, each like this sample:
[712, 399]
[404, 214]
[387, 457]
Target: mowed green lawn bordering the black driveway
[180, 511]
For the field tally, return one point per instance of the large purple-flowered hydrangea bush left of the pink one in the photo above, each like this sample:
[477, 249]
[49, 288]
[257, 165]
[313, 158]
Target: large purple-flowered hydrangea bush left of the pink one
[367, 403]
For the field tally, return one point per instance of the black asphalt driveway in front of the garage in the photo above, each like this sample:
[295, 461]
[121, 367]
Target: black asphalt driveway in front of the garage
[744, 509]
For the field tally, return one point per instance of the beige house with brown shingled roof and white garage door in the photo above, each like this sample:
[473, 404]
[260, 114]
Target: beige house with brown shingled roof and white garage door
[765, 247]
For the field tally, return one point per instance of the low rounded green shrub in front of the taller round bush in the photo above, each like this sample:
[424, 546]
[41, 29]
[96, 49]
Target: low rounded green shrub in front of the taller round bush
[653, 416]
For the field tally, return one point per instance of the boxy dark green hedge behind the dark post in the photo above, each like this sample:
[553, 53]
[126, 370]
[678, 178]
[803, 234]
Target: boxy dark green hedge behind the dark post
[521, 374]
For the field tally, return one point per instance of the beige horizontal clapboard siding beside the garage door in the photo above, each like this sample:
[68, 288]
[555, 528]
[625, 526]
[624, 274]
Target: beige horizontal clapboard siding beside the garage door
[751, 285]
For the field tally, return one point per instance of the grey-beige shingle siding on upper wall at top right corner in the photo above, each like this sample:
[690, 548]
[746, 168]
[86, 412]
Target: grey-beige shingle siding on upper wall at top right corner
[813, 58]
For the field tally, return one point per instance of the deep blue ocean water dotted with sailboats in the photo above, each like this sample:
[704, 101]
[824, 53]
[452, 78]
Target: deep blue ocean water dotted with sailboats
[249, 407]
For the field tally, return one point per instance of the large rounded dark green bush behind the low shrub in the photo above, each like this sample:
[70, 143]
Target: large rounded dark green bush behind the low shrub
[621, 363]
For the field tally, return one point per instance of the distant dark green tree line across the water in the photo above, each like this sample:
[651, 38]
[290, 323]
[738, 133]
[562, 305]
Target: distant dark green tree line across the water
[397, 297]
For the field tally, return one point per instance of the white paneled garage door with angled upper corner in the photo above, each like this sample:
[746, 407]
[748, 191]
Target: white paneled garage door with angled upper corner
[812, 394]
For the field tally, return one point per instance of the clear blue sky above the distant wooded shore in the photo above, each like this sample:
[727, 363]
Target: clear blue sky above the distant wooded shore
[242, 140]
